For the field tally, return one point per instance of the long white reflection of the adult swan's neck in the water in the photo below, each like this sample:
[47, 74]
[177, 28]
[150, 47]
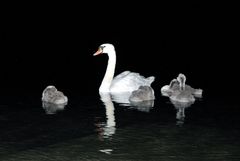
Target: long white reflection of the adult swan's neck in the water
[108, 129]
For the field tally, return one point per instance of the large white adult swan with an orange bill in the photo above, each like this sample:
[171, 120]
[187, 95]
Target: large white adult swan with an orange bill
[126, 81]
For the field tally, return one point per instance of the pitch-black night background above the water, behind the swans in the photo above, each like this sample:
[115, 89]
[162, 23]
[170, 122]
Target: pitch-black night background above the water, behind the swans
[54, 44]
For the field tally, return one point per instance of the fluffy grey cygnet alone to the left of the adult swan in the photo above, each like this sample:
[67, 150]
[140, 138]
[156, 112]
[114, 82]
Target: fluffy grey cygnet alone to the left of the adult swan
[52, 95]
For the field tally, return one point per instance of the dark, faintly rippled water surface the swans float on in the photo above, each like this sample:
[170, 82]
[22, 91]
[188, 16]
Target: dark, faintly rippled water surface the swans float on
[88, 129]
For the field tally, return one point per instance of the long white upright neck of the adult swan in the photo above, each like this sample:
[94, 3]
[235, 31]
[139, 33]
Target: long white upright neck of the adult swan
[108, 77]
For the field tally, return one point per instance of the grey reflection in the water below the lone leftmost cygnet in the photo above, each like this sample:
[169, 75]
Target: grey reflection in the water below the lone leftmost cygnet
[51, 108]
